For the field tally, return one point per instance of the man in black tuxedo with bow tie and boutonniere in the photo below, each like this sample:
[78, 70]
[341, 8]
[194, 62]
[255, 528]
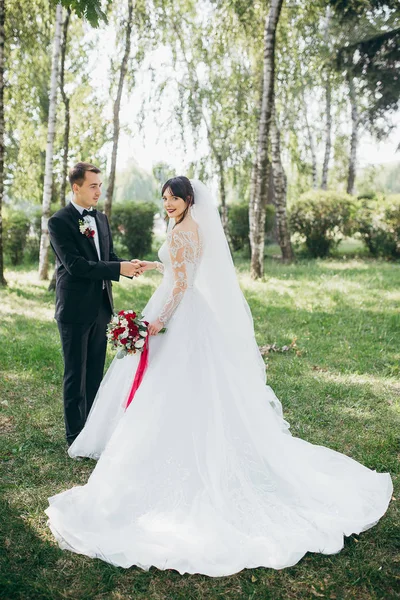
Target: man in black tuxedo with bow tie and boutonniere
[86, 264]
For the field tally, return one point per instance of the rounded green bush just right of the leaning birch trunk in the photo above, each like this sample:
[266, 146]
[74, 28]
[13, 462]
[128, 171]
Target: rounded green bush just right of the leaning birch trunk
[322, 219]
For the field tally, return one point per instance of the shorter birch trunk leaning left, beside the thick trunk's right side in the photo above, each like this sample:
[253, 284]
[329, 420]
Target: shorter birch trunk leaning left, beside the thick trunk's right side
[279, 179]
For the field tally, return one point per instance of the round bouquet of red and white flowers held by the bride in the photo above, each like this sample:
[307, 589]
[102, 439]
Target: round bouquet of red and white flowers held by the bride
[127, 332]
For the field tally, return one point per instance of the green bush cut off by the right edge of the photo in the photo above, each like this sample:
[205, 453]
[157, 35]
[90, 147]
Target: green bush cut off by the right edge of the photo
[378, 223]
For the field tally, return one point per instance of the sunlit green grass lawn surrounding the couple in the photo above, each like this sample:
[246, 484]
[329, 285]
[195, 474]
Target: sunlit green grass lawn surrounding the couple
[340, 388]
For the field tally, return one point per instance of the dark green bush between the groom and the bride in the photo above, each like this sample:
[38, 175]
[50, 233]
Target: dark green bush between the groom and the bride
[132, 227]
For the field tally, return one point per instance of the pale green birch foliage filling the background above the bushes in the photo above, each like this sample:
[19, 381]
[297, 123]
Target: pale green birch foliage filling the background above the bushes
[213, 54]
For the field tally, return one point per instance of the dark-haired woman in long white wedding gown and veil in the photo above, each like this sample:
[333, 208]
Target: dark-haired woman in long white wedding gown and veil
[200, 473]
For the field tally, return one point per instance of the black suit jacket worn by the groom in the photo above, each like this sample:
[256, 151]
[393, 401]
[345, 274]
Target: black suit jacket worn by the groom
[80, 273]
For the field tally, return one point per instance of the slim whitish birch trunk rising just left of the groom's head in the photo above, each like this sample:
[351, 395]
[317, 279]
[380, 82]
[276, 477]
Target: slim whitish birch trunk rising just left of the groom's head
[48, 175]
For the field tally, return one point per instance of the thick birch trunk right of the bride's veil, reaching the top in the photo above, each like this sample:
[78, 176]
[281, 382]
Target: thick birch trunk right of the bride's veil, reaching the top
[258, 199]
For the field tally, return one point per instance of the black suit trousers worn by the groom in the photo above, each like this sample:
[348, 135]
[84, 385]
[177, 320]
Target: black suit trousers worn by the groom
[84, 348]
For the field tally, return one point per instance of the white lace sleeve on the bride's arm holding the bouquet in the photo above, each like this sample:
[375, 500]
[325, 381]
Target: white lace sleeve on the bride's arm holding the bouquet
[180, 248]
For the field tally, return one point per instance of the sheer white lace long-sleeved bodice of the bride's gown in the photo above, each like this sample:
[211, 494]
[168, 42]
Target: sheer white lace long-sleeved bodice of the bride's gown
[180, 256]
